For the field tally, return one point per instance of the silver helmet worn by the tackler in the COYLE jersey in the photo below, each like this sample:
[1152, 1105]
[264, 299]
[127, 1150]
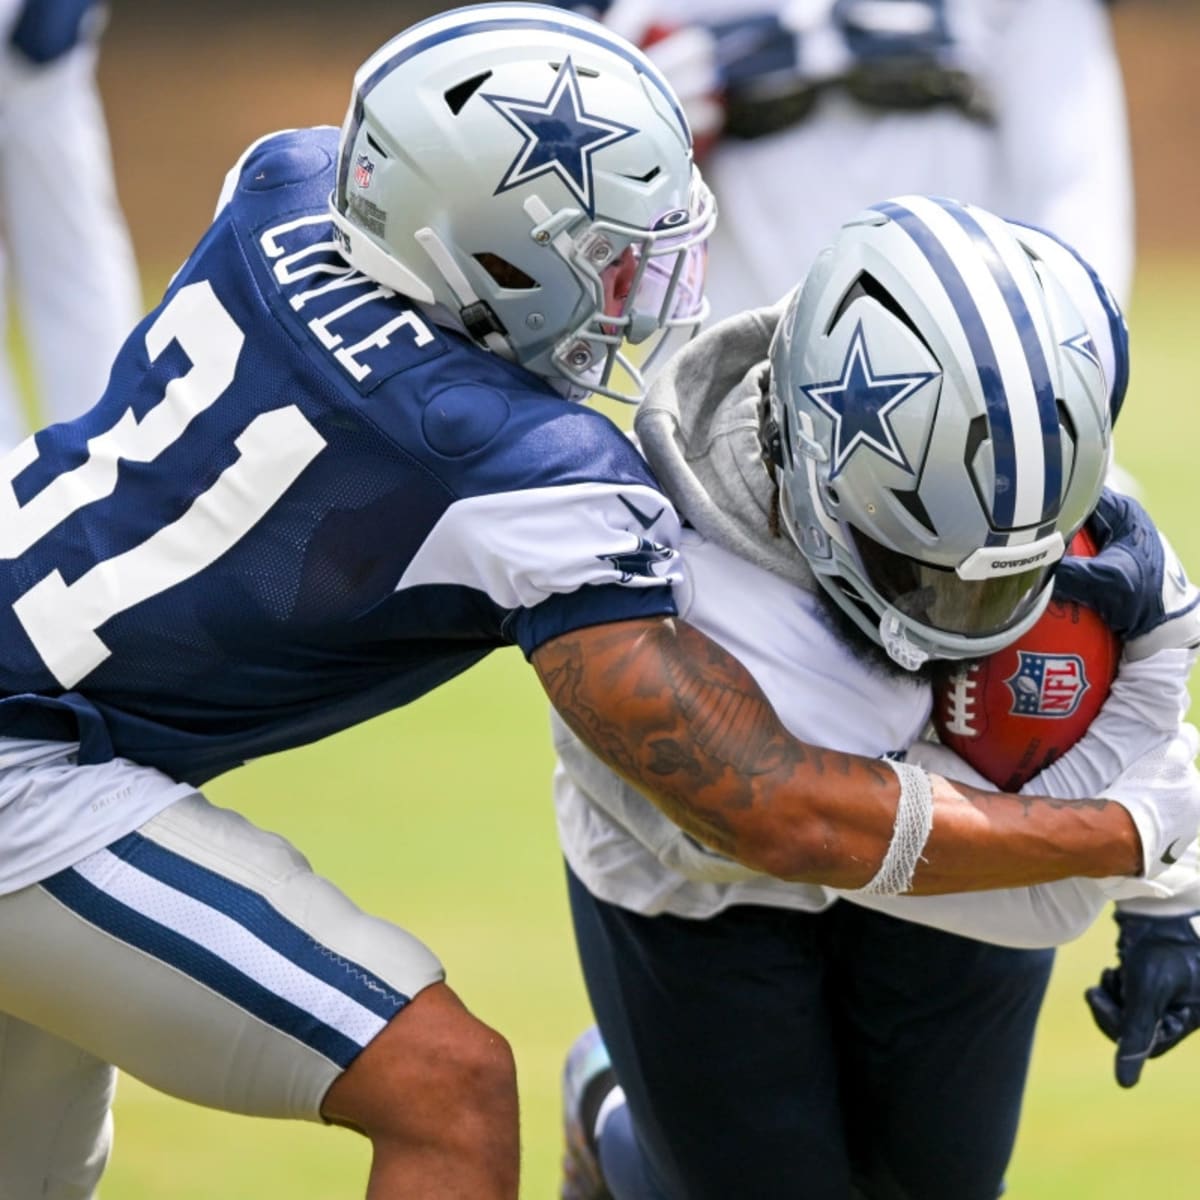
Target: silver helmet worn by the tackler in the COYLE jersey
[530, 173]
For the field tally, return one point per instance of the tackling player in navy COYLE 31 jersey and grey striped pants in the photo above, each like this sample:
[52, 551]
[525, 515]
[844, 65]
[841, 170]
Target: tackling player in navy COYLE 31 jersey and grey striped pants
[337, 466]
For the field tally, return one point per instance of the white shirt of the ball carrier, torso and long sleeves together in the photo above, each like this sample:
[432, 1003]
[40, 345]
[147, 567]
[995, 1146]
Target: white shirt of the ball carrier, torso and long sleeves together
[627, 853]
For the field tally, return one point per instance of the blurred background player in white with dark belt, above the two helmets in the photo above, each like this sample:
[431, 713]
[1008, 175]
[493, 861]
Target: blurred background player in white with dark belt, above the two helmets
[815, 109]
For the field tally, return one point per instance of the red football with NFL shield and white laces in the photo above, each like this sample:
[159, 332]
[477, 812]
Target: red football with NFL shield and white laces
[1015, 712]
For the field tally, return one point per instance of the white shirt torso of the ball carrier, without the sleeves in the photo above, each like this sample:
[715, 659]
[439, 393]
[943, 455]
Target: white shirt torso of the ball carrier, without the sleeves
[619, 844]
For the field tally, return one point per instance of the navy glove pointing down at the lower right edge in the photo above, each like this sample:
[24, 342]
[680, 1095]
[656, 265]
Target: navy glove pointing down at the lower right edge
[1153, 1000]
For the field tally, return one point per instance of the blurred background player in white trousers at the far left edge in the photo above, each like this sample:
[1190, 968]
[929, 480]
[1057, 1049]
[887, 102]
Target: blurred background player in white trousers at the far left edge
[65, 253]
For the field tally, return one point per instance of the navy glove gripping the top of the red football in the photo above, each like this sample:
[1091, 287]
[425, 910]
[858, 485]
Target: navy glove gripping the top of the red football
[1135, 583]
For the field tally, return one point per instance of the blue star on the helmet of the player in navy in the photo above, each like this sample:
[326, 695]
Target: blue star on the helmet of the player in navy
[560, 137]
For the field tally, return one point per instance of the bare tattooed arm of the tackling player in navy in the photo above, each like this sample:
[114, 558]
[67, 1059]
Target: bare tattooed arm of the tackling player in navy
[686, 724]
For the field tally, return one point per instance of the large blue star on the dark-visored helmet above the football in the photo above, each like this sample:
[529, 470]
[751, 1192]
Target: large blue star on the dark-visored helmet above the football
[861, 405]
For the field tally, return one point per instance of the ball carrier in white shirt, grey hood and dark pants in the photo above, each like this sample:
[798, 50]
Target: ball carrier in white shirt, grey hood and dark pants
[877, 478]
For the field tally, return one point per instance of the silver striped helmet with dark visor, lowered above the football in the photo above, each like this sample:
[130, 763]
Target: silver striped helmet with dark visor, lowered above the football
[944, 386]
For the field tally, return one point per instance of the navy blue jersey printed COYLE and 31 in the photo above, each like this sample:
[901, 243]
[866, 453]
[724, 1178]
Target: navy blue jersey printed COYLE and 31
[301, 503]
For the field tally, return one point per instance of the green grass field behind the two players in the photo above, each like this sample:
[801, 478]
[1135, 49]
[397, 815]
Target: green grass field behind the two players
[440, 818]
